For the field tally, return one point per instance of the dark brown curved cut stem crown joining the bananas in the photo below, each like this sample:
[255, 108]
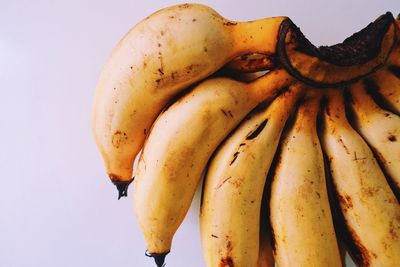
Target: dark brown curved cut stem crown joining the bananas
[341, 64]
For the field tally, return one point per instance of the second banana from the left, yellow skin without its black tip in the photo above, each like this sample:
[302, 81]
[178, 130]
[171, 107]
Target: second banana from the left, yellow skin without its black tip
[181, 142]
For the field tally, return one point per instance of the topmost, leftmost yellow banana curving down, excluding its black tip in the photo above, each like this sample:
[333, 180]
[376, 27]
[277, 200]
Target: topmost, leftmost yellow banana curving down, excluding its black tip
[158, 58]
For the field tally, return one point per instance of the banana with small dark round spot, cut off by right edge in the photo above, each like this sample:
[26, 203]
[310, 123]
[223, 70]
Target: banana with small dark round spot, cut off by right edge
[380, 128]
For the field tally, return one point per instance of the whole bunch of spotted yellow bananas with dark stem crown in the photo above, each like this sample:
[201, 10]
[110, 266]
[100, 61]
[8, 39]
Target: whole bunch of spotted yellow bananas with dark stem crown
[300, 145]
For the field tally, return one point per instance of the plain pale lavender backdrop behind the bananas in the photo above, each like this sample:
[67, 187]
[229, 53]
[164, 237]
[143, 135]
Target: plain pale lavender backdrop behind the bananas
[57, 207]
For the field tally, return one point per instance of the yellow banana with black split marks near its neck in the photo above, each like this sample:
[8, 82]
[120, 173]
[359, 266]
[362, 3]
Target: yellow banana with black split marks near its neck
[234, 185]
